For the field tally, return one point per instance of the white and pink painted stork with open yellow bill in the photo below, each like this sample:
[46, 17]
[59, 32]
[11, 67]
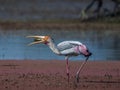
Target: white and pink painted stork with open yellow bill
[65, 48]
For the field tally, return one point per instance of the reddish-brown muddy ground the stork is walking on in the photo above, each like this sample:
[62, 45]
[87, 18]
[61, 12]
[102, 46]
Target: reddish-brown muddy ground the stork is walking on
[51, 75]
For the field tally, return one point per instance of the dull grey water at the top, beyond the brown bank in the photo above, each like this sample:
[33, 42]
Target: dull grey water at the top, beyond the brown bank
[44, 9]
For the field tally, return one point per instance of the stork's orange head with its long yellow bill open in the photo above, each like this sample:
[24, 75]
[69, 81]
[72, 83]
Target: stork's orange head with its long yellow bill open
[39, 39]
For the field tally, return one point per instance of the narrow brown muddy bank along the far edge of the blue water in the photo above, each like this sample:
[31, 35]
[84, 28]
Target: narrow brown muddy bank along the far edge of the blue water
[55, 25]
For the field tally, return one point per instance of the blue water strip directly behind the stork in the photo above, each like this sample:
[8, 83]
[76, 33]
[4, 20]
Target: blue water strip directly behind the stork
[104, 45]
